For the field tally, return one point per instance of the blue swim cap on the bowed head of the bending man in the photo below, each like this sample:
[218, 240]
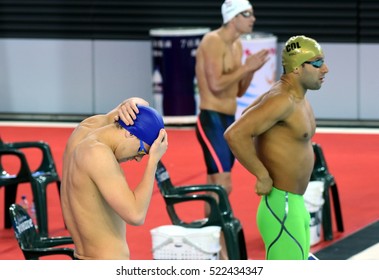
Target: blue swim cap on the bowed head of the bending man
[147, 124]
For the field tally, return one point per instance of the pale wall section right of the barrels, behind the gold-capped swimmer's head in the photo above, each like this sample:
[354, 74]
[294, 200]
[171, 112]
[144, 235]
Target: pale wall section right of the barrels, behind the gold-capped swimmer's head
[350, 90]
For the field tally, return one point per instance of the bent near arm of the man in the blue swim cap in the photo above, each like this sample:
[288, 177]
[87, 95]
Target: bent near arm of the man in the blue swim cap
[130, 204]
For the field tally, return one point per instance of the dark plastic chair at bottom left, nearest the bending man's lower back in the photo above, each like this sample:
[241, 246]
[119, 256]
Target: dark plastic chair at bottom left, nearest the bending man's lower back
[33, 245]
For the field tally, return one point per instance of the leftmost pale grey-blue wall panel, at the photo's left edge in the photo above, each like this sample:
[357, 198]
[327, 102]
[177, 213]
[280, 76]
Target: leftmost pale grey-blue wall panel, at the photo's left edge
[45, 76]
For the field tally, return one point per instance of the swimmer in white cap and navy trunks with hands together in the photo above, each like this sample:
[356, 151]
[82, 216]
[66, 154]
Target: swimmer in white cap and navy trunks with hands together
[222, 78]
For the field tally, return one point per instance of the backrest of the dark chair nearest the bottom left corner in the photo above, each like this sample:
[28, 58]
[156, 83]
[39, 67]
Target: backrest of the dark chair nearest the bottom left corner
[24, 228]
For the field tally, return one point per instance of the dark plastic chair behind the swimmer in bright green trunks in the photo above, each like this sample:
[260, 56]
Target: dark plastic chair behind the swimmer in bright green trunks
[321, 173]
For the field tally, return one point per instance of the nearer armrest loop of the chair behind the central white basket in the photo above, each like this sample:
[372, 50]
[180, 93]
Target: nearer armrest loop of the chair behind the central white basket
[213, 218]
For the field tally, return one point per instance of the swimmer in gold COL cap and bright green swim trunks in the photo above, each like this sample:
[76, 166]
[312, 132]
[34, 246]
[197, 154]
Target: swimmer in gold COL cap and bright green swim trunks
[272, 140]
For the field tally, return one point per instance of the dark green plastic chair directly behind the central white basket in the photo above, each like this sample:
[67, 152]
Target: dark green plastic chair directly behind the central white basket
[220, 212]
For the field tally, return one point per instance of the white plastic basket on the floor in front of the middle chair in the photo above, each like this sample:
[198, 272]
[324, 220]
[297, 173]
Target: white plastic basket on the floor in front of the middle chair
[171, 242]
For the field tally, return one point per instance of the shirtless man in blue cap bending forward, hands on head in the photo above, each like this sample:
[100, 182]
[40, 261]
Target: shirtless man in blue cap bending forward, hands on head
[97, 199]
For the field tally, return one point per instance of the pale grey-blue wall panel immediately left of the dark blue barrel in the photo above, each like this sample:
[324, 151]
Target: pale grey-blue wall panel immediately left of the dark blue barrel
[122, 69]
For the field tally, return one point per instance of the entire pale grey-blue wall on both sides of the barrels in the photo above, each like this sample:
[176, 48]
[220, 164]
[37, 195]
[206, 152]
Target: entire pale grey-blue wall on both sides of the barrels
[86, 77]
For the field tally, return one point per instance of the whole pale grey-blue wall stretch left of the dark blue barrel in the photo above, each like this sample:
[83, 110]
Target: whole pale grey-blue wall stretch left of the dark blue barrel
[72, 76]
